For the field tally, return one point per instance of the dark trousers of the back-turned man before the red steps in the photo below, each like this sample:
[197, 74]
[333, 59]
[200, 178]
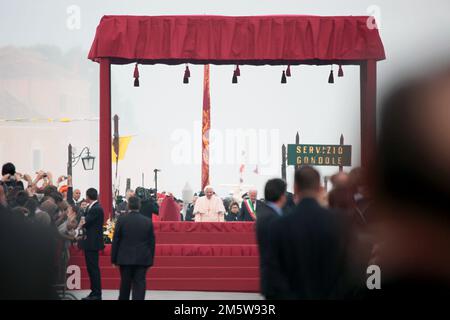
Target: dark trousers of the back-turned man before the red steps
[132, 278]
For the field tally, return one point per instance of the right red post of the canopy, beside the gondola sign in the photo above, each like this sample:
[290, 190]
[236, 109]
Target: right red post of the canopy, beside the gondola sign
[368, 78]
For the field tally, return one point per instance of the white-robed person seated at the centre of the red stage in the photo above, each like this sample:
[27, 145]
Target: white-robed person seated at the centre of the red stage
[209, 208]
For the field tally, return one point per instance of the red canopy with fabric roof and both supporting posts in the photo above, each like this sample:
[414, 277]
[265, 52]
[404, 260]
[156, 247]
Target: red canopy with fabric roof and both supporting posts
[256, 40]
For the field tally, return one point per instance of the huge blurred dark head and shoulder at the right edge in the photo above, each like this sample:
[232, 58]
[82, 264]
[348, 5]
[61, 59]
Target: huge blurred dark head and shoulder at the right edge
[412, 180]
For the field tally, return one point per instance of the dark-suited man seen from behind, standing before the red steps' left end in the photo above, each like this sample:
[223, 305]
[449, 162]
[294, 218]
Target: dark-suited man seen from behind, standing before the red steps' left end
[133, 248]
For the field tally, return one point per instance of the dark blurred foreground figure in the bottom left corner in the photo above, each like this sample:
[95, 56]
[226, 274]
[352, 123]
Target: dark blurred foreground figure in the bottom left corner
[27, 255]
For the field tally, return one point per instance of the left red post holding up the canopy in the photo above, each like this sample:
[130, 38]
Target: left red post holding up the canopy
[105, 191]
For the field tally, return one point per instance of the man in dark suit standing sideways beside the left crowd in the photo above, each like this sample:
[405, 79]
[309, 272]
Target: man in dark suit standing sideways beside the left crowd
[93, 242]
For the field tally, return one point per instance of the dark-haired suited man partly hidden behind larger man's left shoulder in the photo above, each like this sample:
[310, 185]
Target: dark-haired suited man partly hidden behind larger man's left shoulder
[275, 199]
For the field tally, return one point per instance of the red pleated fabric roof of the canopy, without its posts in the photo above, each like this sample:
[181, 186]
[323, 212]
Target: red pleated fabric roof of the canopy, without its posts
[254, 40]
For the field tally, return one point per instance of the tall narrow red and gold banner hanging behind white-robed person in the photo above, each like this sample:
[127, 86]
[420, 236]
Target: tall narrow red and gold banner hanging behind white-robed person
[206, 125]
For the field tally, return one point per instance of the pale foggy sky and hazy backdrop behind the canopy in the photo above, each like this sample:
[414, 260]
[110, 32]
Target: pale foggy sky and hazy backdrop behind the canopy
[163, 115]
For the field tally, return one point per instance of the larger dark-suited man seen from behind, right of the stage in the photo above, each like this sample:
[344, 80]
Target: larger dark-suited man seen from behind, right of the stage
[306, 253]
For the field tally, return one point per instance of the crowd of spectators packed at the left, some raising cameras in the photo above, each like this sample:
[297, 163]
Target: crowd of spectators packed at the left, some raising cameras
[54, 211]
